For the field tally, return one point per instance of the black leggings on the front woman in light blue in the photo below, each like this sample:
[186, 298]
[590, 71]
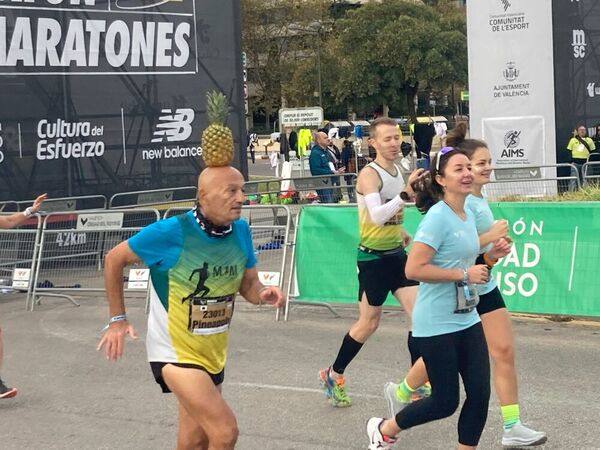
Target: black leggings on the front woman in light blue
[446, 356]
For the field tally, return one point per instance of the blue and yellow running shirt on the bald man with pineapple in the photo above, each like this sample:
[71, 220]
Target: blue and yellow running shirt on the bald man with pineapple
[194, 281]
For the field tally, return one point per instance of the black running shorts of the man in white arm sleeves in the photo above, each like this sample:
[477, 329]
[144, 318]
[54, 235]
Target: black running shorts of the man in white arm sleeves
[378, 277]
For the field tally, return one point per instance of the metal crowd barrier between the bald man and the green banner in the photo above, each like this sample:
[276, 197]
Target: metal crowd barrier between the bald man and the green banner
[271, 241]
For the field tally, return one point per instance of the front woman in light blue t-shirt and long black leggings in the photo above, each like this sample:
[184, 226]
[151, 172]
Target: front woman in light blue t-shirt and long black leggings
[446, 326]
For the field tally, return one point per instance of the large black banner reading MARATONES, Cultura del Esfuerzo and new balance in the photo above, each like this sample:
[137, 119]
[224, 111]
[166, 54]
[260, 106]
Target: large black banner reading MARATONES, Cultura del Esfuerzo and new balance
[106, 96]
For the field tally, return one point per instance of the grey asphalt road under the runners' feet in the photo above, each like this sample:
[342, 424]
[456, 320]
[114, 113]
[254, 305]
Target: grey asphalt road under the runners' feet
[72, 398]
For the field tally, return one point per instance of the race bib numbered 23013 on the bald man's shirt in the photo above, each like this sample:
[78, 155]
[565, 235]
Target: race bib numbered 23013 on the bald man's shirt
[210, 315]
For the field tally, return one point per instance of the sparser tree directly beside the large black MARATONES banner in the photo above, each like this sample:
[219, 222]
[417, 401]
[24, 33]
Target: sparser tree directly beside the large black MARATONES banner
[275, 35]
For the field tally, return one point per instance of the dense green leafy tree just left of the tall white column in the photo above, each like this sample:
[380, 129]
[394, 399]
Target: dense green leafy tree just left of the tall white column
[393, 48]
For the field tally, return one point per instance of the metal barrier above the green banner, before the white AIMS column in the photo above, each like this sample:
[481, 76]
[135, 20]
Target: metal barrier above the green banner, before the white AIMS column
[513, 184]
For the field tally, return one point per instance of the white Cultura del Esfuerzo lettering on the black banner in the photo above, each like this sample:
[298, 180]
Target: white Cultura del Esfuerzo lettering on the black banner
[61, 139]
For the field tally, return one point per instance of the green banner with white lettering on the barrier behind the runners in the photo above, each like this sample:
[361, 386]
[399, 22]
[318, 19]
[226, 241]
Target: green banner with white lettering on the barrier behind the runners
[552, 269]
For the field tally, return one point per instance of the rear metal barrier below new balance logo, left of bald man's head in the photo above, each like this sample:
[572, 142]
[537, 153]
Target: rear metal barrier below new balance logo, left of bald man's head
[158, 198]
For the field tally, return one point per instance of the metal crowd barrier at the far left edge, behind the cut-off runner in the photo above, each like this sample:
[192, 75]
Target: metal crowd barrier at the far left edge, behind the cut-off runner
[18, 252]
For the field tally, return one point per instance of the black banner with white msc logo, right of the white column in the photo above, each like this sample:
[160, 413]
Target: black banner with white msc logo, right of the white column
[576, 68]
